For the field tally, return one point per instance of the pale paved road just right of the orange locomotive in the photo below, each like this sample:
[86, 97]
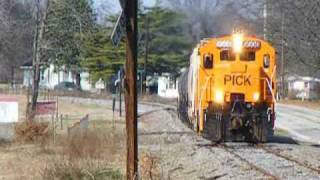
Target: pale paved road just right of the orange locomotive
[302, 123]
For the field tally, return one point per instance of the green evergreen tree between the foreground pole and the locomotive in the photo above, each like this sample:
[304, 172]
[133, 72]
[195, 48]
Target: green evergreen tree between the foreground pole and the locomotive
[169, 43]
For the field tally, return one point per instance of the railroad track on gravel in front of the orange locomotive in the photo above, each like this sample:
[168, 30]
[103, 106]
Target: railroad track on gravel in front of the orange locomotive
[270, 163]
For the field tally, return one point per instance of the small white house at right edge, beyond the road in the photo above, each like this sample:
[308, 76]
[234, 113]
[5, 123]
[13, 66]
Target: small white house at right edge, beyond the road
[303, 87]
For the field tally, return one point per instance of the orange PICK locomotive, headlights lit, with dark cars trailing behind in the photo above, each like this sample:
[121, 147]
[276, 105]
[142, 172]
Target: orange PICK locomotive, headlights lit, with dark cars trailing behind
[227, 93]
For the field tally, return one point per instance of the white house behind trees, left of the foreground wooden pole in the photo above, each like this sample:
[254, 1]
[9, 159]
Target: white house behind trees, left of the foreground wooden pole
[50, 77]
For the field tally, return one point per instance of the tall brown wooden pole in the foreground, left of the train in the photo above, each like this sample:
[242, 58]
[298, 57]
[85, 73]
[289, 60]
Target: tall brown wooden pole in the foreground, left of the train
[130, 11]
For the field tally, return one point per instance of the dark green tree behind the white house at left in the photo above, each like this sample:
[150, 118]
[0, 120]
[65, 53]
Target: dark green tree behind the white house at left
[68, 21]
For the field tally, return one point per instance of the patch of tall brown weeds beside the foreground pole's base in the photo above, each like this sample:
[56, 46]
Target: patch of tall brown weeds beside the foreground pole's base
[93, 154]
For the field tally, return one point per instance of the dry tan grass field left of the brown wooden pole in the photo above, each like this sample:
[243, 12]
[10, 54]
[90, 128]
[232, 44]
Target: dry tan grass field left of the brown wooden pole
[98, 152]
